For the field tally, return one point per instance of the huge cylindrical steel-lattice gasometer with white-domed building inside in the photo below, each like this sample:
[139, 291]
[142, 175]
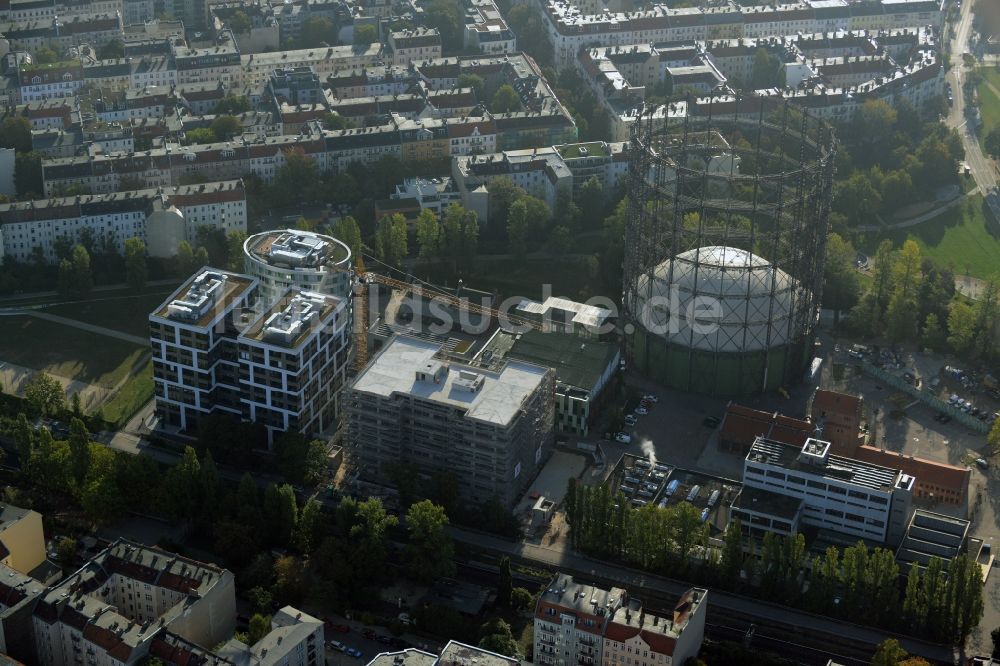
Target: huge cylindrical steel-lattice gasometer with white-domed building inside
[724, 246]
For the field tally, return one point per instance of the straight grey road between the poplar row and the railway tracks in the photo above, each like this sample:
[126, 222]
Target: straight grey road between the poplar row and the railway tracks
[808, 624]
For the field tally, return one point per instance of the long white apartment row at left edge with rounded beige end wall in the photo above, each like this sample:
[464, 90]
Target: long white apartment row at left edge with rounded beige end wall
[162, 218]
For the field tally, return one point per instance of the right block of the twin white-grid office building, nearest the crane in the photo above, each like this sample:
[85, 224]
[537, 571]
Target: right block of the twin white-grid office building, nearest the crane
[293, 360]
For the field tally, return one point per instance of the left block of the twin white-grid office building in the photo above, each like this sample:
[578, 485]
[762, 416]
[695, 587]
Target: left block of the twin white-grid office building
[196, 364]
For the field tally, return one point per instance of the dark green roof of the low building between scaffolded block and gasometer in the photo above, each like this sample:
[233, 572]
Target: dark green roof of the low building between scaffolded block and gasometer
[578, 362]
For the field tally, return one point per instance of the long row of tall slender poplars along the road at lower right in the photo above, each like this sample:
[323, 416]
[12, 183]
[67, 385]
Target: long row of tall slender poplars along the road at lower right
[943, 601]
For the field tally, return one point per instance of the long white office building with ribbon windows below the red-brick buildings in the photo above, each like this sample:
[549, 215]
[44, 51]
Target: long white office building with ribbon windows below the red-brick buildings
[840, 494]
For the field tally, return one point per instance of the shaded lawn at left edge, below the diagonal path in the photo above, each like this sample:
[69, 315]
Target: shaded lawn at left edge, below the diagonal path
[68, 352]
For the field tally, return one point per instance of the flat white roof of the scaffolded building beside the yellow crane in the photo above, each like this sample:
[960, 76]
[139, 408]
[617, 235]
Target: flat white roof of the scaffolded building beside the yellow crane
[497, 401]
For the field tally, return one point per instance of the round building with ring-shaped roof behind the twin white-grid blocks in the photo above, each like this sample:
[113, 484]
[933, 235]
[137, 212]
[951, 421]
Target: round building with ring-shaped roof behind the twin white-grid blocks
[280, 260]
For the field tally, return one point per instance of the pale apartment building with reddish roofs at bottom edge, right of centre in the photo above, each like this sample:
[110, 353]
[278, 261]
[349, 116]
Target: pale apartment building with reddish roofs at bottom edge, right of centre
[583, 625]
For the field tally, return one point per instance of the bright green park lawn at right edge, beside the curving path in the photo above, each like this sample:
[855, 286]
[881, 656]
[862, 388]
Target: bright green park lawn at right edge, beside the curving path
[966, 239]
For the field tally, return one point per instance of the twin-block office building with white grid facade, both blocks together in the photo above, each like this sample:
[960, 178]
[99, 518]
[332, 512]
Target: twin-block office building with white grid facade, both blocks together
[217, 348]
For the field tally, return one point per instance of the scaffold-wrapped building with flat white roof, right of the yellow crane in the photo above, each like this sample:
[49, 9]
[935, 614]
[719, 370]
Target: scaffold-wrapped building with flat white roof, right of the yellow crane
[491, 430]
